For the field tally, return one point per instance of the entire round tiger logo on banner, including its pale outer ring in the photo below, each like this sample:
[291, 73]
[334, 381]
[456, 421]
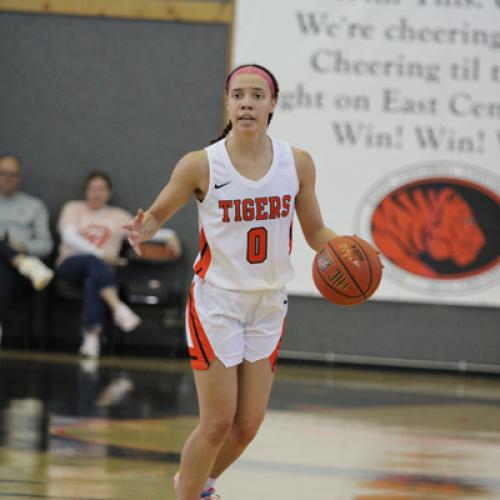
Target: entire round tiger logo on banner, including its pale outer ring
[436, 225]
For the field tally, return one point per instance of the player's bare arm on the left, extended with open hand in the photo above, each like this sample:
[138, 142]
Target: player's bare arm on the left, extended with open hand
[189, 177]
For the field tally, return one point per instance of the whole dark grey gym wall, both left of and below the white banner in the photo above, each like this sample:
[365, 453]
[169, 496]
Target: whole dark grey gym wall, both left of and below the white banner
[132, 96]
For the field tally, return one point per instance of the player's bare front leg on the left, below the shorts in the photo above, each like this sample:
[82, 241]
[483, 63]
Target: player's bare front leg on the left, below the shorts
[217, 391]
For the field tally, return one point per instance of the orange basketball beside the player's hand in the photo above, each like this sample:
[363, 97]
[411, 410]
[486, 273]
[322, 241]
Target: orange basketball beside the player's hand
[347, 270]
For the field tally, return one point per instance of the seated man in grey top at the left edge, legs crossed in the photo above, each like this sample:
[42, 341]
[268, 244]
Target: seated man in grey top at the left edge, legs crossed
[24, 237]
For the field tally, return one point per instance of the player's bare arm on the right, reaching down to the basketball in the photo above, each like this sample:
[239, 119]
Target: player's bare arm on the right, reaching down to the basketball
[306, 202]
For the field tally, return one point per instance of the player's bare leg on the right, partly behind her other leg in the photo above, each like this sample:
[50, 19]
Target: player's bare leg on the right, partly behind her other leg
[255, 381]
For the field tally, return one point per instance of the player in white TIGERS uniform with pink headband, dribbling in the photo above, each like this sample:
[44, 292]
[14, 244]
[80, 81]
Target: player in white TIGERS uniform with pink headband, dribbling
[247, 186]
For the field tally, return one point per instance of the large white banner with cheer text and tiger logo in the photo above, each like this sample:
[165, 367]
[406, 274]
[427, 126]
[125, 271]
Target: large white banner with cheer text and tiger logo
[398, 102]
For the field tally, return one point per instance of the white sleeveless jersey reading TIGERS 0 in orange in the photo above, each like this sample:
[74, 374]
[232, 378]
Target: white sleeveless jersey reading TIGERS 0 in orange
[246, 225]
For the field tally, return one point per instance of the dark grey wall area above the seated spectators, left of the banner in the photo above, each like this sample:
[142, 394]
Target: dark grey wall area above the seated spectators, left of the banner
[128, 97]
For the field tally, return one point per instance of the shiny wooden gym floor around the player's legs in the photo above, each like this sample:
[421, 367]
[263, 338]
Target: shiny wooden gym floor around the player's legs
[73, 429]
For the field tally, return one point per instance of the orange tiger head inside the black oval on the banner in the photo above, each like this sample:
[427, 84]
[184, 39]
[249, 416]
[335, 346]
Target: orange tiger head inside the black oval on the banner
[428, 229]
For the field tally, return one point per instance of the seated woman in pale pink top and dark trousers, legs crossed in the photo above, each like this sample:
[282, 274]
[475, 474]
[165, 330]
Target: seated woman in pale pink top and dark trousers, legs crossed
[91, 238]
